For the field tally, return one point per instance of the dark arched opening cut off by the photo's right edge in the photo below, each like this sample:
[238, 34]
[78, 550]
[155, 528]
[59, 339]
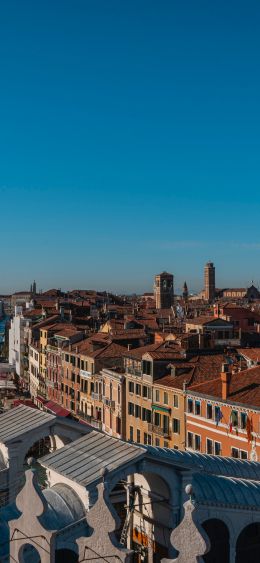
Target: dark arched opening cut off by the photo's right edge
[248, 544]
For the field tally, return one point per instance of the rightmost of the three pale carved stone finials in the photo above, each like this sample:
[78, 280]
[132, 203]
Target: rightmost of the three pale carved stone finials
[189, 537]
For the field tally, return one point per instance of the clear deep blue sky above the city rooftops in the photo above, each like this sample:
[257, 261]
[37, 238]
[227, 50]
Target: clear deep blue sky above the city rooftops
[129, 142]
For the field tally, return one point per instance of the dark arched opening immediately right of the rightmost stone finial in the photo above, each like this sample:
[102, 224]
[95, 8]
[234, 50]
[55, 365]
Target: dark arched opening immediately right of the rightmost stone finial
[218, 534]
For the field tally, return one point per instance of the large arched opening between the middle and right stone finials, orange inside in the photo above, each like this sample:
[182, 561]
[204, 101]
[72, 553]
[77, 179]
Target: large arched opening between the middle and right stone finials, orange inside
[142, 504]
